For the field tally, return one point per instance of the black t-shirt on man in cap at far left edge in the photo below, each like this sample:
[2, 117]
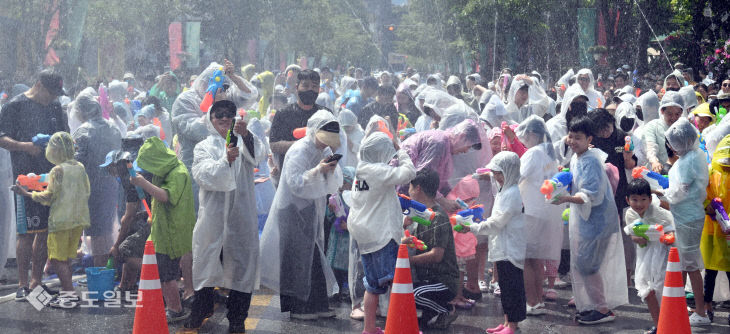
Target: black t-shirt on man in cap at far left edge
[23, 118]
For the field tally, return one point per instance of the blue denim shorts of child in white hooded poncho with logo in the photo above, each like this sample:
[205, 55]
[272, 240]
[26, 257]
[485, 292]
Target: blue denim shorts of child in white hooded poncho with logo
[379, 268]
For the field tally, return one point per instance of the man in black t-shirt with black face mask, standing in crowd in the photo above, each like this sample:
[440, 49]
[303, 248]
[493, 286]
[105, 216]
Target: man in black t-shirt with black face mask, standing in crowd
[295, 115]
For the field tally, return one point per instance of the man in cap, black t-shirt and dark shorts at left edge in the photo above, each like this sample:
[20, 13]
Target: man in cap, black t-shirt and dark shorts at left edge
[36, 111]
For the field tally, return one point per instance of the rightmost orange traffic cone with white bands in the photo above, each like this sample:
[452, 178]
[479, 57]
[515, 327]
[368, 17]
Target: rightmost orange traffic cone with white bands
[673, 316]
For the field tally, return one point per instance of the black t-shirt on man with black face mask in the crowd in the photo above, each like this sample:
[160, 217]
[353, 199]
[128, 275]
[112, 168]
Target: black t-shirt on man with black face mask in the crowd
[286, 121]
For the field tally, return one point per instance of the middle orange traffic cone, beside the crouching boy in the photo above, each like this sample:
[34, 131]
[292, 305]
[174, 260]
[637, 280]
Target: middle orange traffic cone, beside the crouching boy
[402, 317]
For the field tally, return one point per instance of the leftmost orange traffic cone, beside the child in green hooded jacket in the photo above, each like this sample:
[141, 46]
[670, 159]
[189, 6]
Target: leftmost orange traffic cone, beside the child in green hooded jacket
[149, 318]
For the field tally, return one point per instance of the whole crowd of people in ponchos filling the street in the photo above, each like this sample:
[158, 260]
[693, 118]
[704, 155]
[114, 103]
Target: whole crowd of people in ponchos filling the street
[291, 181]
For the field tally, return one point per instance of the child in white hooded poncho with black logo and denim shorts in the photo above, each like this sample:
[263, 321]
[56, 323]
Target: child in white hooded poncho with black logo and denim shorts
[375, 216]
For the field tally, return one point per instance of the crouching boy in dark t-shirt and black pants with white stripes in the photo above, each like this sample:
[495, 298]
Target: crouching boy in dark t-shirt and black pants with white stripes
[435, 269]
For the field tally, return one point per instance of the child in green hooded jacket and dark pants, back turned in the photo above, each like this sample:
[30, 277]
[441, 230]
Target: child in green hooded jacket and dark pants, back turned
[173, 216]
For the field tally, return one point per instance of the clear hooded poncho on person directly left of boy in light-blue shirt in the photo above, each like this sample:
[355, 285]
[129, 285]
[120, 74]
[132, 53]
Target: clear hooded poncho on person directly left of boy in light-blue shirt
[544, 226]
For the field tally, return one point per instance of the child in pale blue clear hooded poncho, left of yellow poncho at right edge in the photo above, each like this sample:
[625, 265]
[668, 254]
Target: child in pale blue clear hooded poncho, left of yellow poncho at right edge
[687, 190]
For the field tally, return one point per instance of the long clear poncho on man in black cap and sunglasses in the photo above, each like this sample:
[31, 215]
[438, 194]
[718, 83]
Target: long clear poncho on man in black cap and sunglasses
[227, 224]
